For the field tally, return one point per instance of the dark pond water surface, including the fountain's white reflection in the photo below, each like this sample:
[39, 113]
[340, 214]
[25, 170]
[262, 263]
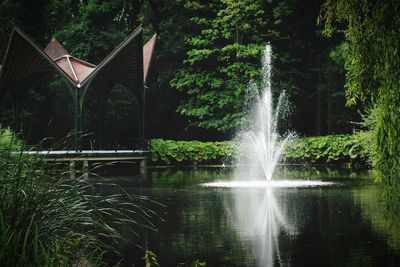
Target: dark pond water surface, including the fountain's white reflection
[340, 225]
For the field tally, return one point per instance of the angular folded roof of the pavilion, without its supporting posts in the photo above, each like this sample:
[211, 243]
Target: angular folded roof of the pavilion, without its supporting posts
[127, 64]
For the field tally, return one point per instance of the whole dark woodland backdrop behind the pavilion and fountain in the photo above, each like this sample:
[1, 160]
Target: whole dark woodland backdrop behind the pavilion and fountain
[206, 54]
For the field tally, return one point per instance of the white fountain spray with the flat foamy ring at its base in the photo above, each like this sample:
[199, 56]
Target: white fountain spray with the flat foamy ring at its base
[260, 145]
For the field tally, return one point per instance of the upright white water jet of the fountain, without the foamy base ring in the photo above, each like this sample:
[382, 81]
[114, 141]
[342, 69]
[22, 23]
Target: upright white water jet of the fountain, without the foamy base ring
[260, 145]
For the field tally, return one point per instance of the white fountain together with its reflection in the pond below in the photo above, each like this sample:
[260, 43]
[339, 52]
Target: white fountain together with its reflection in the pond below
[253, 207]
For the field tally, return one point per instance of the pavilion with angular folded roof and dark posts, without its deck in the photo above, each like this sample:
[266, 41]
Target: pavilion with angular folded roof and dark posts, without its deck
[128, 64]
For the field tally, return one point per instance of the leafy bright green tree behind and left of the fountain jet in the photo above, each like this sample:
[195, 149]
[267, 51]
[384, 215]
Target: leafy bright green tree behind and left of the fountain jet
[223, 56]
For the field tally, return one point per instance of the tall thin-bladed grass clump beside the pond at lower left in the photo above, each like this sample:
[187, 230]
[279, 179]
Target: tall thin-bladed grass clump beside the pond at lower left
[48, 218]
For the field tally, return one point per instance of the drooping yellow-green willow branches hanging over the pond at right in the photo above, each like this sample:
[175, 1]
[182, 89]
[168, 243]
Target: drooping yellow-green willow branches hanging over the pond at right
[372, 62]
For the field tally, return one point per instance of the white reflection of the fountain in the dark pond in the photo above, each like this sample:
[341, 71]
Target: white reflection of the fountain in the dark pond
[259, 220]
